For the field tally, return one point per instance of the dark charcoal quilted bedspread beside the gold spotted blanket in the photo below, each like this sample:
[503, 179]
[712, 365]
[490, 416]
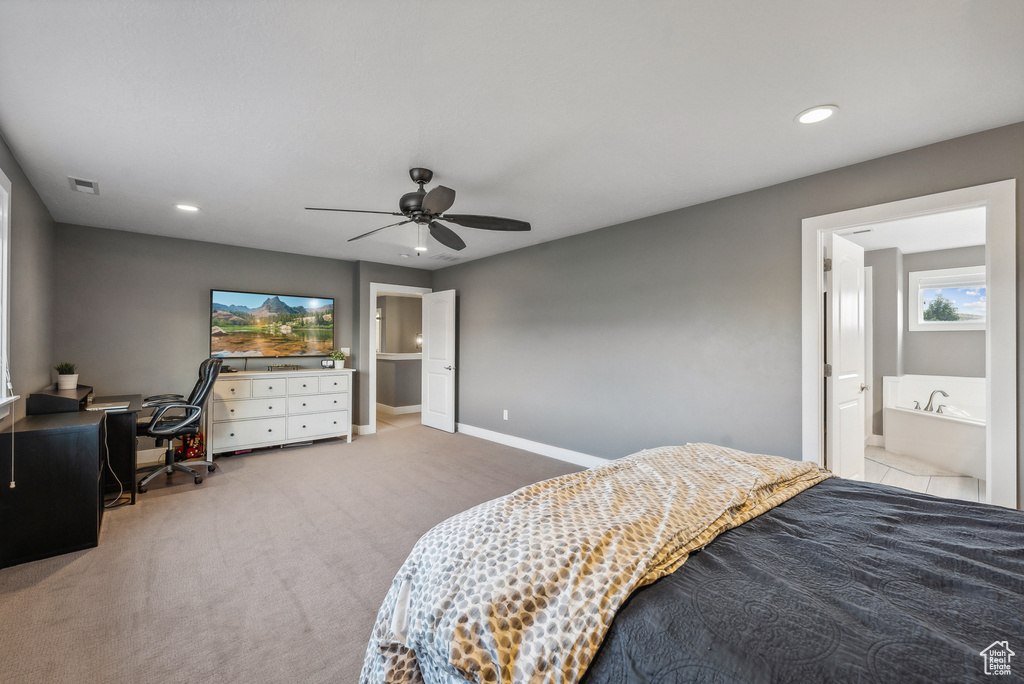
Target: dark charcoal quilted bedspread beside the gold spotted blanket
[847, 582]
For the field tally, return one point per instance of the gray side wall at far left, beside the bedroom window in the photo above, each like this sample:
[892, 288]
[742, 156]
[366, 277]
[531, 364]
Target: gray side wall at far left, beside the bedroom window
[32, 244]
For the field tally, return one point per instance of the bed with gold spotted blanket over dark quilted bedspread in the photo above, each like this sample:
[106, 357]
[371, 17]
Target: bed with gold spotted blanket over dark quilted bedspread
[799, 577]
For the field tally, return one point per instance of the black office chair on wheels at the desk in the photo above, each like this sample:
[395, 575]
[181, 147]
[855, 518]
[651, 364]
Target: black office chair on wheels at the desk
[177, 417]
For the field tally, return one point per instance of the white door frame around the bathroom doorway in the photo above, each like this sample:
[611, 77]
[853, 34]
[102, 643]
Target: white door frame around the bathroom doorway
[1001, 339]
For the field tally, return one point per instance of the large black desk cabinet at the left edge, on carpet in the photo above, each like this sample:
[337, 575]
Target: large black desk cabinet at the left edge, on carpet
[57, 506]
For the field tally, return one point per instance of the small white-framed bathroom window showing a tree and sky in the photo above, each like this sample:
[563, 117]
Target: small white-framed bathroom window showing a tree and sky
[948, 300]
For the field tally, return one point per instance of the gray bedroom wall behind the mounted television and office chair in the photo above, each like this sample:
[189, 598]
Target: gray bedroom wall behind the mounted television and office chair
[133, 311]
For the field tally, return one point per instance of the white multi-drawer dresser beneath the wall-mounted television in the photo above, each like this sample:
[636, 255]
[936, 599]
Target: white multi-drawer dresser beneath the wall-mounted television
[257, 409]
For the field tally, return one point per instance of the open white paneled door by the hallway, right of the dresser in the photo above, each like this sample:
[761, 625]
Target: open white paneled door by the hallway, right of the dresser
[439, 361]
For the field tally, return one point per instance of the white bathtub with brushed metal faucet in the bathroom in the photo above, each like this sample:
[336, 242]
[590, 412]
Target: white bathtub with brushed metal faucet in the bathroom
[955, 443]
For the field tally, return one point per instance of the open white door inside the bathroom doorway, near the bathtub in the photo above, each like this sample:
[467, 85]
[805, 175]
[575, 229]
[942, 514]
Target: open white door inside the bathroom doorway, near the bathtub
[845, 390]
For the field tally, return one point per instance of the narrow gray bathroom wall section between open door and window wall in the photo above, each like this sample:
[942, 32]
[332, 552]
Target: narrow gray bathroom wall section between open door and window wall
[887, 323]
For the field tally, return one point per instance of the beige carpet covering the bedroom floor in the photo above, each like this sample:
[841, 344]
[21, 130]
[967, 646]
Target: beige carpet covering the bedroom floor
[272, 571]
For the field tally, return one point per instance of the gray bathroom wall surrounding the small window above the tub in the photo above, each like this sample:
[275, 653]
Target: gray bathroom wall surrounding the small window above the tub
[953, 353]
